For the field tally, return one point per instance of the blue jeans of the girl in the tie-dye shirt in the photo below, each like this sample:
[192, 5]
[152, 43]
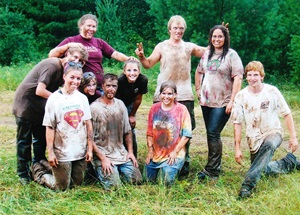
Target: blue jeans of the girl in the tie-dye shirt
[168, 172]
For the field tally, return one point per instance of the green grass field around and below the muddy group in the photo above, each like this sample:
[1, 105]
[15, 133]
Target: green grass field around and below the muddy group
[274, 195]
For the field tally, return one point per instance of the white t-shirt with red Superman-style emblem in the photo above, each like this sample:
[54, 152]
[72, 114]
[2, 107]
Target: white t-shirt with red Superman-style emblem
[67, 114]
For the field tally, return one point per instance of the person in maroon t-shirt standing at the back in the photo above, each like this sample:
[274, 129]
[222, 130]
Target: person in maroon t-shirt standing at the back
[96, 47]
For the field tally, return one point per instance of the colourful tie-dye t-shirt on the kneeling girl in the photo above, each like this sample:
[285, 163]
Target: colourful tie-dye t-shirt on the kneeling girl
[166, 128]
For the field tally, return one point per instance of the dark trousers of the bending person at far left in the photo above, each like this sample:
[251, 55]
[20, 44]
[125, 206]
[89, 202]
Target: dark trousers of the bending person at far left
[29, 133]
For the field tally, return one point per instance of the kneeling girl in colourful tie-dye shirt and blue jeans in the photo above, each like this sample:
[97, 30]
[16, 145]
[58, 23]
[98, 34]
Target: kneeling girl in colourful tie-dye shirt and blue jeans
[169, 130]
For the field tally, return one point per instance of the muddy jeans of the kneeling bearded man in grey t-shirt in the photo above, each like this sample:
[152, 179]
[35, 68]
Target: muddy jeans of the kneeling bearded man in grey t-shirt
[125, 171]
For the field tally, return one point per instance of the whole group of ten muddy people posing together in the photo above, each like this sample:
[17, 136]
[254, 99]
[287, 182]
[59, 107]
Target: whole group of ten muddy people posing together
[88, 124]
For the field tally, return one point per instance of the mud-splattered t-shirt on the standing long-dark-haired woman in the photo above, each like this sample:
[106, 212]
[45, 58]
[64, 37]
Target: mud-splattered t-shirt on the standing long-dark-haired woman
[218, 80]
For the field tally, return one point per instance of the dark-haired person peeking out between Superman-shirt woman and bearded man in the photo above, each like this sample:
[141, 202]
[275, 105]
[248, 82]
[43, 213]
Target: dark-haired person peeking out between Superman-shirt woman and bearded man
[88, 87]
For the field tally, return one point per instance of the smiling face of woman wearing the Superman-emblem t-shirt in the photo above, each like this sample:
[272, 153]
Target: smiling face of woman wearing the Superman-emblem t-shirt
[72, 79]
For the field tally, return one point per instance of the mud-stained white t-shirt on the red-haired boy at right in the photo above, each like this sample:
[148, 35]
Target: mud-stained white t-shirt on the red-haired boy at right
[260, 113]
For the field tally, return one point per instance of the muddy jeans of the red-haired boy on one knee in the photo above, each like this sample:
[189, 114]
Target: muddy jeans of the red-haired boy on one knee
[261, 161]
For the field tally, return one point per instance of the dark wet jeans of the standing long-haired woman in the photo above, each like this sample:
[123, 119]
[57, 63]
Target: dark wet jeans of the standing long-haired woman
[215, 120]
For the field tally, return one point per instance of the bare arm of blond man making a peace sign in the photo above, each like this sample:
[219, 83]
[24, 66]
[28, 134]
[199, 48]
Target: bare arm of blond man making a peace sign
[151, 60]
